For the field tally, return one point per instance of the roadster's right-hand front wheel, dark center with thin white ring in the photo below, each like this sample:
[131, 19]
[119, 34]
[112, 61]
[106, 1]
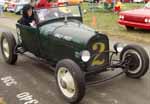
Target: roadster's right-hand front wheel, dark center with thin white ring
[139, 60]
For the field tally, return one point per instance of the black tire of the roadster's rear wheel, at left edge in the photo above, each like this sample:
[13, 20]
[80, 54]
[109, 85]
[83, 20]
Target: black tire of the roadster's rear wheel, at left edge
[9, 38]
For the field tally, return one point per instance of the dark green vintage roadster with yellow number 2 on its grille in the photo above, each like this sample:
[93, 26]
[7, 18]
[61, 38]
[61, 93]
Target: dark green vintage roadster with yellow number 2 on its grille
[74, 49]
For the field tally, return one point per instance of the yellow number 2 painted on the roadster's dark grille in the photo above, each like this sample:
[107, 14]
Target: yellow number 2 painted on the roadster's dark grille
[101, 48]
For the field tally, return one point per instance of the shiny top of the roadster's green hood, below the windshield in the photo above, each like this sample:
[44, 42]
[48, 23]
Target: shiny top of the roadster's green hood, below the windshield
[78, 32]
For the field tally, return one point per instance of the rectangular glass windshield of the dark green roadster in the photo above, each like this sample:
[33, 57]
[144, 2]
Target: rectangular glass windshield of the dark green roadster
[58, 12]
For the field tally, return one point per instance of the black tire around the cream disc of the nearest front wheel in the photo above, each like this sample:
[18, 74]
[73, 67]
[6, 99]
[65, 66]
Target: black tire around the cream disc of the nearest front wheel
[78, 77]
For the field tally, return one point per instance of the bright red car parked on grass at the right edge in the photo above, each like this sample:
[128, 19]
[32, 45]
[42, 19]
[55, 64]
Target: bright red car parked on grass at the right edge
[137, 18]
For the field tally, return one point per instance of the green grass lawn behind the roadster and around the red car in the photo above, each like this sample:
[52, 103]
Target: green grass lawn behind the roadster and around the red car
[106, 22]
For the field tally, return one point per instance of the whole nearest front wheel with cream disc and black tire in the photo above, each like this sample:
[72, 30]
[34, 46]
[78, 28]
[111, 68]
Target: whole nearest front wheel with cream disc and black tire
[70, 81]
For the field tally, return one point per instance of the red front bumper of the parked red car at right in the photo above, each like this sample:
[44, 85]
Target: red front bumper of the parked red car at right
[134, 24]
